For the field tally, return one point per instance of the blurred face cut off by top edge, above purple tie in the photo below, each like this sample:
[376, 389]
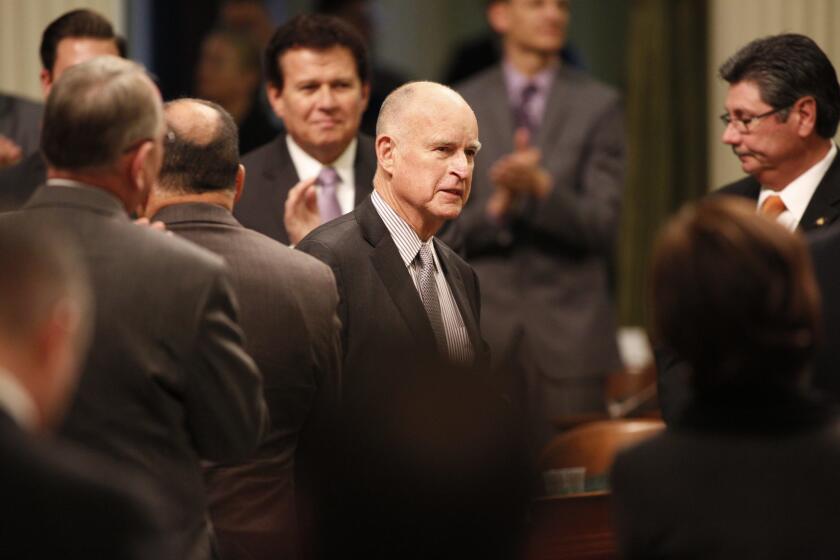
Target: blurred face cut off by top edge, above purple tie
[534, 25]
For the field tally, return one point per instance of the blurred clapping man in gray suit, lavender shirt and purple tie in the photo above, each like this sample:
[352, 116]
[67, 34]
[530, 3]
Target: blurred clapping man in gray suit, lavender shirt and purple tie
[540, 227]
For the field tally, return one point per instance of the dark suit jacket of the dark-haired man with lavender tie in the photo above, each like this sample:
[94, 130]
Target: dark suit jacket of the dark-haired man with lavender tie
[271, 174]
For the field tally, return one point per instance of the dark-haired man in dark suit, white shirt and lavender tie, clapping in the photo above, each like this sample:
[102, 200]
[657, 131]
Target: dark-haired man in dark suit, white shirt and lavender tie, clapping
[321, 167]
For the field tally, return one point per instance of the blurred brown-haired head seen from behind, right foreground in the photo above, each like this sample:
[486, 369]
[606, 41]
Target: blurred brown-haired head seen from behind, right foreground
[734, 294]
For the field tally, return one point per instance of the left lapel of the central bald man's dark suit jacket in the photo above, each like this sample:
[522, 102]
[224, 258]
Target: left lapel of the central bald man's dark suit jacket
[392, 271]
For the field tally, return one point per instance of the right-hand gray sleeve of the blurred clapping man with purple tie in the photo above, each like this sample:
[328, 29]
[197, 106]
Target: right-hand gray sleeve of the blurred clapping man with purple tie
[583, 209]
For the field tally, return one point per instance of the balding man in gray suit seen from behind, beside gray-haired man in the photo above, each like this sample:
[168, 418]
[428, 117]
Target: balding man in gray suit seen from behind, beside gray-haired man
[288, 312]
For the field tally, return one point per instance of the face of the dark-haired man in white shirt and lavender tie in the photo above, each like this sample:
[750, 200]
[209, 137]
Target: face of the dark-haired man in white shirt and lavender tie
[322, 100]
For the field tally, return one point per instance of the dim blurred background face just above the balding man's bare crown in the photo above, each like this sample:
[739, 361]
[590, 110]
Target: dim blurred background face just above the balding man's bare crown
[220, 76]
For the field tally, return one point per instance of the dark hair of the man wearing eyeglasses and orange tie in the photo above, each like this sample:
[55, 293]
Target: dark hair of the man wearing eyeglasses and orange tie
[785, 68]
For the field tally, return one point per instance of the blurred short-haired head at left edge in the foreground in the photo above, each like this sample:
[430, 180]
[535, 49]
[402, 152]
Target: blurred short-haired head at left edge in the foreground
[44, 318]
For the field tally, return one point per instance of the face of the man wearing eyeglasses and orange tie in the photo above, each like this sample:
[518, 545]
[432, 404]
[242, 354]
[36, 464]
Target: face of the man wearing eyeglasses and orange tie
[770, 145]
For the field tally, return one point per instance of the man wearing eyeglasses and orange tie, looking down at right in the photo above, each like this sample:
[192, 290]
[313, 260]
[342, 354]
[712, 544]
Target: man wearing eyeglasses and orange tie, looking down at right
[782, 110]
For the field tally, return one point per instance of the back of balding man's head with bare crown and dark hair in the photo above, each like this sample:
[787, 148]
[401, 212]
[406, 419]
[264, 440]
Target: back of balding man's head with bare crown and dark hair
[202, 148]
